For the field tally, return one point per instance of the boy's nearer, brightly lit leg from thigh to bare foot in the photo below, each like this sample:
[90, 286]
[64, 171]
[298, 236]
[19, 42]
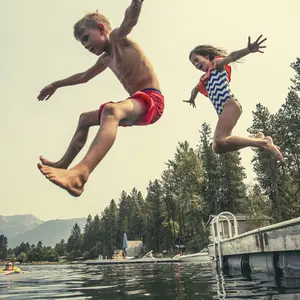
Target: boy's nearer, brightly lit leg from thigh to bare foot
[113, 114]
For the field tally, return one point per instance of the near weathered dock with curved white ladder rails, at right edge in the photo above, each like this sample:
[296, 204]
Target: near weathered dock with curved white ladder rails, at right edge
[262, 243]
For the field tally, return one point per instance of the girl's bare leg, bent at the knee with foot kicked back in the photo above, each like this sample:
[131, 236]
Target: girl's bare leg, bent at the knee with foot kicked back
[224, 143]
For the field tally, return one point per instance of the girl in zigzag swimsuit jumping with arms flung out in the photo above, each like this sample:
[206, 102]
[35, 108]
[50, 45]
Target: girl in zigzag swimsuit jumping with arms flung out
[214, 84]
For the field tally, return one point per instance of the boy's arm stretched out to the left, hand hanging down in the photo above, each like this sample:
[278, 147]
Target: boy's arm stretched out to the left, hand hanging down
[79, 78]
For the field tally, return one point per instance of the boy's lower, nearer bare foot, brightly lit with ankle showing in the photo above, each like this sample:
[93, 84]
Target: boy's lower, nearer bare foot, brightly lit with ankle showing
[70, 180]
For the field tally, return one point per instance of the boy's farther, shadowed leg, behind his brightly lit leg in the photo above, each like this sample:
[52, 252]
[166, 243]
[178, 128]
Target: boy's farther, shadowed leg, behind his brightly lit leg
[86, 120]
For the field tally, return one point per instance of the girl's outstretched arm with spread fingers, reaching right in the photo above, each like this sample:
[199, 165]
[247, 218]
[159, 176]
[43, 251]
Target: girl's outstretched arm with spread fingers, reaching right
[236, 55]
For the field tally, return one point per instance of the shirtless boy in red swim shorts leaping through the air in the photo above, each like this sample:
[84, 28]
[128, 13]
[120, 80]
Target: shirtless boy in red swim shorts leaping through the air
[130, 65]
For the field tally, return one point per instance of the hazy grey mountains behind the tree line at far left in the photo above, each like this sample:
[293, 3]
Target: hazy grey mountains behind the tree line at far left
[28, 228]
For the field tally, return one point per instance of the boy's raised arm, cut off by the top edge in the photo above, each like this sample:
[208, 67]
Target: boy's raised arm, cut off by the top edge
[131, 18]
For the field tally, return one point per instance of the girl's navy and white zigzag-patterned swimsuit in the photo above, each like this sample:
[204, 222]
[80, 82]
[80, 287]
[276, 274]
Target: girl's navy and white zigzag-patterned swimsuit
[218, 89]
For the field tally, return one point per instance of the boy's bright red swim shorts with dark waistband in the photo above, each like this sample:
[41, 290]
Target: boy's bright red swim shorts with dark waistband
[154, 105]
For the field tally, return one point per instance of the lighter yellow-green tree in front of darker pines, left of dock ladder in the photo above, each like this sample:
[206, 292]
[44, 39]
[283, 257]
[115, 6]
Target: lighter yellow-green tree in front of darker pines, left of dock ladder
[183, 181]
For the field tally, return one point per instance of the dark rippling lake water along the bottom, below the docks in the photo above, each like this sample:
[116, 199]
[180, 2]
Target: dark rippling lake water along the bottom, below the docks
[143, 281]
